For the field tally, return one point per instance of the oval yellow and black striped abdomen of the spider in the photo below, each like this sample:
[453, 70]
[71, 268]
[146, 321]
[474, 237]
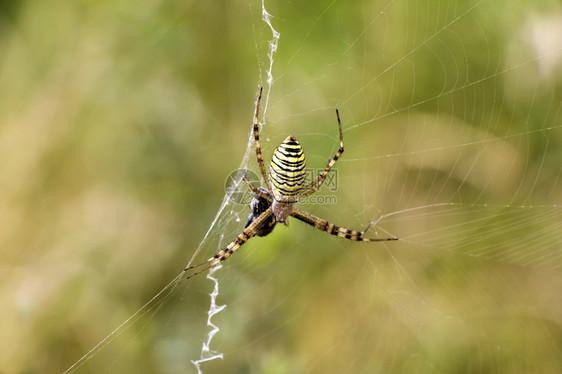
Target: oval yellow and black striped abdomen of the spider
[287, 169]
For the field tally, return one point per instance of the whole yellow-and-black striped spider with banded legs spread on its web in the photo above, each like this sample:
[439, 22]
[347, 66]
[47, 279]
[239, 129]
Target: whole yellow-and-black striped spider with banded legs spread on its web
[285, 187]
